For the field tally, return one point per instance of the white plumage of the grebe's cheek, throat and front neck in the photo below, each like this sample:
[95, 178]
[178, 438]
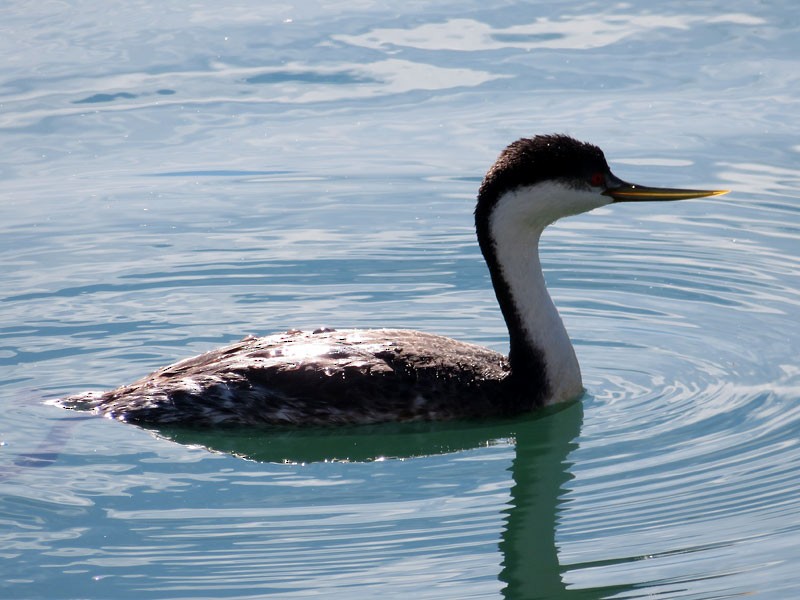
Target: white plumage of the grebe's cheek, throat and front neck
[516, 225]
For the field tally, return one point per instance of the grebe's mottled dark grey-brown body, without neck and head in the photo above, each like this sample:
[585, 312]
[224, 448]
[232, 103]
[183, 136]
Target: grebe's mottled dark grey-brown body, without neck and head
[317, 378]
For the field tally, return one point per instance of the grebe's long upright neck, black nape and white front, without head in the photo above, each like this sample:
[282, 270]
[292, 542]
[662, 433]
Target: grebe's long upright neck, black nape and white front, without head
[541, 355]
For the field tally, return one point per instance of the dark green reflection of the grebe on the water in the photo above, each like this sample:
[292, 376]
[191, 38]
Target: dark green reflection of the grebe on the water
[540, 472]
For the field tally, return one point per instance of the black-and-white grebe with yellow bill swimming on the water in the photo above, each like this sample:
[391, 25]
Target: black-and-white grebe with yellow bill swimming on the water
[329, 376]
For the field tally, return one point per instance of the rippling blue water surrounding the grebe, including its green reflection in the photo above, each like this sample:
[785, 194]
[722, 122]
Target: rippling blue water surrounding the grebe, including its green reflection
[175, 176]
